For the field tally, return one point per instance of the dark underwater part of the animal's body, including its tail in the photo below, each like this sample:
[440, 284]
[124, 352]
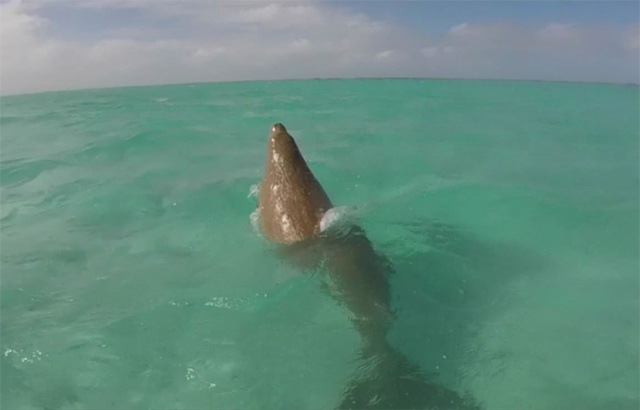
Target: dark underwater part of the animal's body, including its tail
[357, 276]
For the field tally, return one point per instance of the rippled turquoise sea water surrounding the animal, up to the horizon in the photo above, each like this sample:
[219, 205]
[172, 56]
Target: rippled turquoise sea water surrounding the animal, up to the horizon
[132, 277]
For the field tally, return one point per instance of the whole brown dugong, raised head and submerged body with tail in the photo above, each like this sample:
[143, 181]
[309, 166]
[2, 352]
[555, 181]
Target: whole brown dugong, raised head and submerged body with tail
[291, 205]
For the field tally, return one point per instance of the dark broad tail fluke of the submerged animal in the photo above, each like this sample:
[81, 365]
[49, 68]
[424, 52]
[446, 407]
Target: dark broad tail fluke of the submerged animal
[393, 382]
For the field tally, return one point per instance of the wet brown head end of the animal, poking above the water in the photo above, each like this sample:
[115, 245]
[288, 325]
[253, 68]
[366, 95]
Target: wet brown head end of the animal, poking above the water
[291, 201]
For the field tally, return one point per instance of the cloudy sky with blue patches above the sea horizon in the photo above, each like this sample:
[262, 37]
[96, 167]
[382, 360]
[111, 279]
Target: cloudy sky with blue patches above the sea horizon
[68, 44]
